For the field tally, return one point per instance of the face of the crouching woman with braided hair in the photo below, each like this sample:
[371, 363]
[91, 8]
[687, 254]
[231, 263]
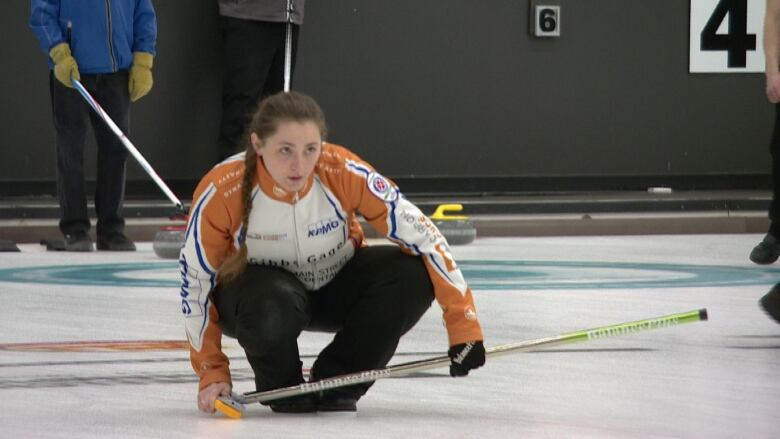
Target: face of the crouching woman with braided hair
[291, 153]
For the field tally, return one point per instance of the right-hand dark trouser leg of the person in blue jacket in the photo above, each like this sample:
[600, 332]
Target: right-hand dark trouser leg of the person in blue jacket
[111, 92]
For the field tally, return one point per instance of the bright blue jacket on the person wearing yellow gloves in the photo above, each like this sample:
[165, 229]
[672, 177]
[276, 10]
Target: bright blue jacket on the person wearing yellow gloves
[103, 34]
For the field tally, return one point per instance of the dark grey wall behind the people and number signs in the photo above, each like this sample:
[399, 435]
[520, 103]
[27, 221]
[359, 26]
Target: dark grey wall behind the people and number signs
[454, 88]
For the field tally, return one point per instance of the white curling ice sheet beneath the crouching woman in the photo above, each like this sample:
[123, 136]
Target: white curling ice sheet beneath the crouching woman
[716, 379]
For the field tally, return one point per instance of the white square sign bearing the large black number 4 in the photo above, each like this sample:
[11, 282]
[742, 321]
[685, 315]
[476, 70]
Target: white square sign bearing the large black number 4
[726, 36]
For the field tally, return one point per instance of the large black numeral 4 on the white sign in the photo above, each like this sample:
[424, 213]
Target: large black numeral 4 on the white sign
[737, 42]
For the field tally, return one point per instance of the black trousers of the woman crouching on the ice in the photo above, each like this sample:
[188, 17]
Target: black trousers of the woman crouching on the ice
[377, 297]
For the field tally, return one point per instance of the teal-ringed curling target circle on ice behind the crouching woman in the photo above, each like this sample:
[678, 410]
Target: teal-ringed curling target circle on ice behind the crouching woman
[481, 274]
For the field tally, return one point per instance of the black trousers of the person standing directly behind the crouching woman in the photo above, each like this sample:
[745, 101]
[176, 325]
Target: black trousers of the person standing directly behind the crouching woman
[251, 49]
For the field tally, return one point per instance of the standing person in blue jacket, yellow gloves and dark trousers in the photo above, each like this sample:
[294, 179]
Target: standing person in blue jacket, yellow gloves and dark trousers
[107, 45]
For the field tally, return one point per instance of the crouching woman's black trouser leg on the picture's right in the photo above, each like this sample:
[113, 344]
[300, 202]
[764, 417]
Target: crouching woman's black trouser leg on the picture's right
[375, 299]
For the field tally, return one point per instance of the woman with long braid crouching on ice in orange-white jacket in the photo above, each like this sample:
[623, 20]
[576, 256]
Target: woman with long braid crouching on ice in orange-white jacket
[273, 247]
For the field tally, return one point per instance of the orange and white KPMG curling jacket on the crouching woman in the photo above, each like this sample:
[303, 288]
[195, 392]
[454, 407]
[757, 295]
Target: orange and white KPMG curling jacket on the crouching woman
[312, 234]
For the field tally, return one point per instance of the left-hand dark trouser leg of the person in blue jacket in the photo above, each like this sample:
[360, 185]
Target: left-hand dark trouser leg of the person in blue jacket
[70, 123]
